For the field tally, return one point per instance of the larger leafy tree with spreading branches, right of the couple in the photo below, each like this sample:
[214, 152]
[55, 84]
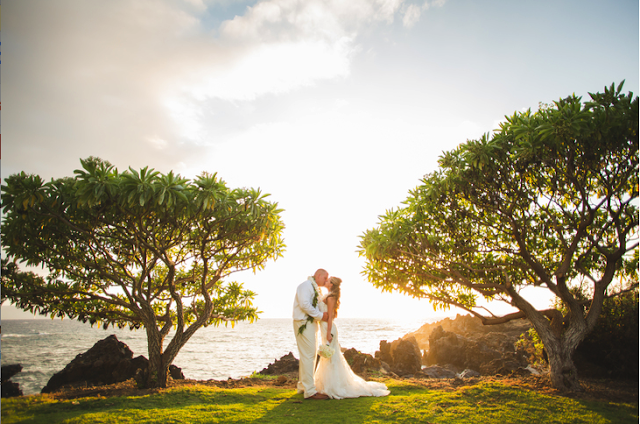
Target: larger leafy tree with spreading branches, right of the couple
[549, 200]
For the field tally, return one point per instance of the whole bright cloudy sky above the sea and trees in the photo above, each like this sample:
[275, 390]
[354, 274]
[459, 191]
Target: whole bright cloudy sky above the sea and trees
[335, 108]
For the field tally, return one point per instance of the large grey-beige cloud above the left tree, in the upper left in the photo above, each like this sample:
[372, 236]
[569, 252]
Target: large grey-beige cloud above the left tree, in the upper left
[89, 76]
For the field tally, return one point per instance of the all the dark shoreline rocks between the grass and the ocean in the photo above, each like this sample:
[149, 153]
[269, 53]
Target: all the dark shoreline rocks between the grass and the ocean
[458, 349]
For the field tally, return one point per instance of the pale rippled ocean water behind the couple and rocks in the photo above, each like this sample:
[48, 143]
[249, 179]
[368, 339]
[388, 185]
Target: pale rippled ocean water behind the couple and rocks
[44, 347]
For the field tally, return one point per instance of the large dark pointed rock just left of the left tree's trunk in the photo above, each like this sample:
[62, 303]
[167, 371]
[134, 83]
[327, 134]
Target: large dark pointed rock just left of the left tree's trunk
[108, 361]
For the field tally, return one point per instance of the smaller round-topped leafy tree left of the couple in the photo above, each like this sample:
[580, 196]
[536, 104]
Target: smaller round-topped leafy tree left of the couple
[138, 249]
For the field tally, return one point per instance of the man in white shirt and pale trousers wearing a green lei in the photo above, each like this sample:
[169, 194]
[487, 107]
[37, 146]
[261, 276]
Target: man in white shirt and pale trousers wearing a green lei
[305, 305]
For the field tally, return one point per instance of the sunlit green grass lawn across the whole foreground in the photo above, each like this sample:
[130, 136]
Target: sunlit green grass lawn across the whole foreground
[408, 403]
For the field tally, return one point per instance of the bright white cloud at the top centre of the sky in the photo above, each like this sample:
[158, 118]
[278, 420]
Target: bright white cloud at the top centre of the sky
[287, 44]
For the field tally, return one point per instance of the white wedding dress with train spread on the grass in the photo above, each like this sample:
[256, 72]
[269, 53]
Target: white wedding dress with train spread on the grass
[334, 376]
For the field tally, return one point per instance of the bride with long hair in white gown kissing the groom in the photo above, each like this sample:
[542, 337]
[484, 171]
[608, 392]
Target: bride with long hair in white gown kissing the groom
[334, 376]
